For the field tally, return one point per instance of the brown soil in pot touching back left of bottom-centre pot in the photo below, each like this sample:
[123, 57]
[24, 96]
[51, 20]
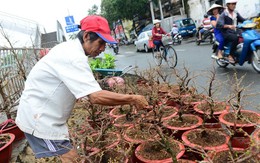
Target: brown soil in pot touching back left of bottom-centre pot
[141, 132]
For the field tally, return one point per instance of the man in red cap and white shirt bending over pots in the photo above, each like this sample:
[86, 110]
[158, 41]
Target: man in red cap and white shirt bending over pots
[57, 81]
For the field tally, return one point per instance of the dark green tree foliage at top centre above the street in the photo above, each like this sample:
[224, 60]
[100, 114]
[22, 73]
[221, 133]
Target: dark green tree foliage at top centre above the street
[124, 9]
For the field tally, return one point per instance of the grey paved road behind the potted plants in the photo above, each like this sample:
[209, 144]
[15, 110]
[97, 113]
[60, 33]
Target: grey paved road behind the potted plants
[197, 60]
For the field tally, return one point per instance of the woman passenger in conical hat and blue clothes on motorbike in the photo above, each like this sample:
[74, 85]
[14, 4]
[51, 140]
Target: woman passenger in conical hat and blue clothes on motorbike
[215, 11]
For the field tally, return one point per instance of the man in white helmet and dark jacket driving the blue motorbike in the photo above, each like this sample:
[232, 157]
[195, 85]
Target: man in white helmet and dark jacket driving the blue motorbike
[227, 22]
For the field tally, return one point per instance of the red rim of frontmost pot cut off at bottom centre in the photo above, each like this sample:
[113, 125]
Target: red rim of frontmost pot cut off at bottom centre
[142, 159]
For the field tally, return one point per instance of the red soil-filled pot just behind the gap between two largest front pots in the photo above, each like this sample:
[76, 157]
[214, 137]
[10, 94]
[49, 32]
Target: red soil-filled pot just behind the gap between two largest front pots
[179, 124]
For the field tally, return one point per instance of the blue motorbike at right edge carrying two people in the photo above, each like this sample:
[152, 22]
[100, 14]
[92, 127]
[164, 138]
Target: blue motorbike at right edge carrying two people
[248, 48]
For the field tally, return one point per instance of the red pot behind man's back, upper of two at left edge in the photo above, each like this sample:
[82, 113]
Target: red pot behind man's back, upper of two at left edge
[14, 129]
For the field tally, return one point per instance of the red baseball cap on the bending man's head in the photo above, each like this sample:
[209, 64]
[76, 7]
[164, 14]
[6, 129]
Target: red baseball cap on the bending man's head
[99, 25]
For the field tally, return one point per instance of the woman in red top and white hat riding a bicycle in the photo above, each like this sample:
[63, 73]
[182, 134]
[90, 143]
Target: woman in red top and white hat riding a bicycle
[157, 33]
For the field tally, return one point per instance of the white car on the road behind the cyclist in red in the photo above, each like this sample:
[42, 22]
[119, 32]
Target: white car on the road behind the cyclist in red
[142, 42]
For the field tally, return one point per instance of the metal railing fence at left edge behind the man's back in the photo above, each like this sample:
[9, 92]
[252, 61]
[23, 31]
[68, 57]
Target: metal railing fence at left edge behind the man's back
[15, 65]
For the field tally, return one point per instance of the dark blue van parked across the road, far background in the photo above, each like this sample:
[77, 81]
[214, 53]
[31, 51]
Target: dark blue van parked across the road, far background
[186, 27]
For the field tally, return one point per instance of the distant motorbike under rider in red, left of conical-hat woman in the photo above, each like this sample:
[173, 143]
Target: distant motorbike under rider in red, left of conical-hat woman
[208, 35]
